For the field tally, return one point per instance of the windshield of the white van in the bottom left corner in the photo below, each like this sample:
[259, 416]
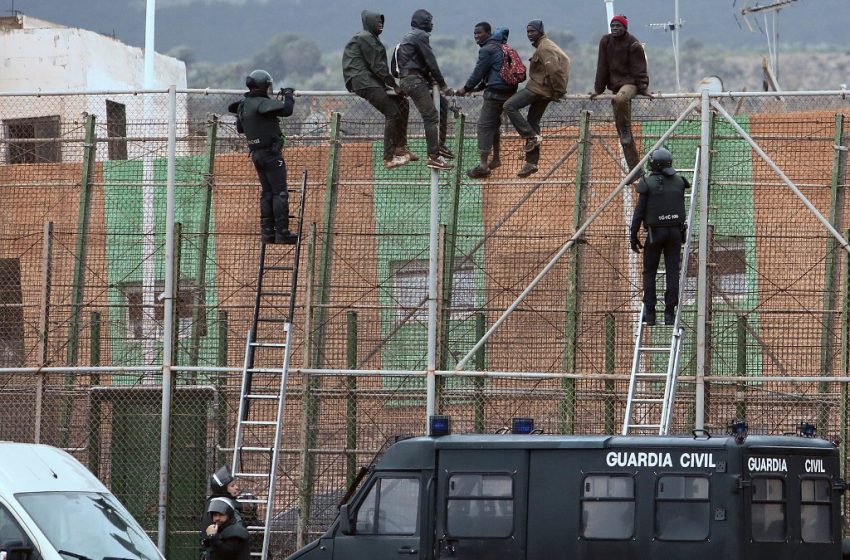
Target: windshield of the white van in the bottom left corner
[88, 524]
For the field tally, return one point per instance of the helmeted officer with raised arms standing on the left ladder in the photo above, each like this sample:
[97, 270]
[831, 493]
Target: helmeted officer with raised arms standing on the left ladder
[256, 117]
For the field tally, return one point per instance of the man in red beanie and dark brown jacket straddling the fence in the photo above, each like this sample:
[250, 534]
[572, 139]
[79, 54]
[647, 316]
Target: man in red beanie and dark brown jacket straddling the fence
[621, 67]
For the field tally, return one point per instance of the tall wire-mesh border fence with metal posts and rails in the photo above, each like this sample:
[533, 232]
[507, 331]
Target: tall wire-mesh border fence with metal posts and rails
[129, 240]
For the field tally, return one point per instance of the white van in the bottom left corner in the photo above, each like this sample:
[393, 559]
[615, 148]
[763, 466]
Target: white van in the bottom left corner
[53, 508]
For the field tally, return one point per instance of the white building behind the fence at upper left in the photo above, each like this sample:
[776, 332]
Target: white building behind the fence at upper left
[44, 57]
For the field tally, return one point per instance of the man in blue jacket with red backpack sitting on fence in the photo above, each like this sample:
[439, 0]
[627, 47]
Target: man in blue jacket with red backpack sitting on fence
[486, 74]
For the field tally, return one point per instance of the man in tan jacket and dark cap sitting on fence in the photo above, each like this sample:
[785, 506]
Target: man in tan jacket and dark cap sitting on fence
[548, 75]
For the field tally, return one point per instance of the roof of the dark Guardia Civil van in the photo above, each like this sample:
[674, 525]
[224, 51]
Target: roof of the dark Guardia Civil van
[419, 452]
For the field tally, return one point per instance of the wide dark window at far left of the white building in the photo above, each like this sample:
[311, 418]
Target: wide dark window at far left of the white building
[33, 140]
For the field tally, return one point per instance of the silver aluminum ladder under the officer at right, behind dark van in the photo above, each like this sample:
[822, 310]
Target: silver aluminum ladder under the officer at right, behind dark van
[652, 391]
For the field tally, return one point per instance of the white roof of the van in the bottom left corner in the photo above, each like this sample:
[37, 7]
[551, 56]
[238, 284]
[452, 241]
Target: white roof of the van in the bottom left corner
[30, 467]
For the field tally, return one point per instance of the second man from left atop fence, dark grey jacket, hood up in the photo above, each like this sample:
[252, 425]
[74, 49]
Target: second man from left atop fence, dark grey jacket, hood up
[419, 71]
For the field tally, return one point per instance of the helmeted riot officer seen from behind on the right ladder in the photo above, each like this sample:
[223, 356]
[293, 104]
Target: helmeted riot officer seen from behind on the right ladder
[661, 209]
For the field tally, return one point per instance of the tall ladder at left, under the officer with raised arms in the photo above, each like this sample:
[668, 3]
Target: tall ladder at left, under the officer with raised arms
[262, 399]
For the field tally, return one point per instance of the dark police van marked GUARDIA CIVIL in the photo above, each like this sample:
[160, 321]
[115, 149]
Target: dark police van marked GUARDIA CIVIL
[545, 497]
